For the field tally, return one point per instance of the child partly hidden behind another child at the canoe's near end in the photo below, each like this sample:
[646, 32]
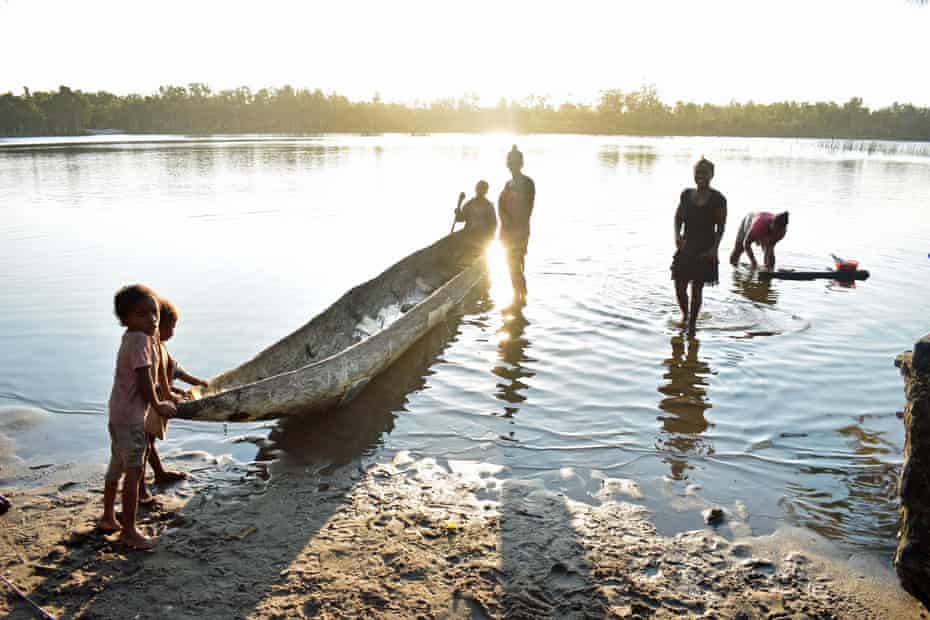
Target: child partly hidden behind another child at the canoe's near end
[155, 425]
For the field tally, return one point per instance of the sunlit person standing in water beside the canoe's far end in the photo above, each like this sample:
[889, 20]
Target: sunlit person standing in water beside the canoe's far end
[514, 207]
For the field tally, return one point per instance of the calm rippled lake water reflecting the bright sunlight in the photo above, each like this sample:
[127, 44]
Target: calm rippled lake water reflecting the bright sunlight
[782, 410]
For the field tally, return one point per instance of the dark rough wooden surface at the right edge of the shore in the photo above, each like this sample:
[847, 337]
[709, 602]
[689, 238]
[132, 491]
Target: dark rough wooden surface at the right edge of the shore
[912, 558]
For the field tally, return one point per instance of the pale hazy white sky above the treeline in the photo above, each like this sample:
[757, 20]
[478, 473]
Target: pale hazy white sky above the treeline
[708, 50]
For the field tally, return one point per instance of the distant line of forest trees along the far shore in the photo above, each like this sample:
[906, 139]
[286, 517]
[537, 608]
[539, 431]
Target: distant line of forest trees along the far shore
[199, 110]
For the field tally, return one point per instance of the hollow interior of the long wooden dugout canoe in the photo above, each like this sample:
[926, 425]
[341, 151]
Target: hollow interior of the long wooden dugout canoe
[360, 313]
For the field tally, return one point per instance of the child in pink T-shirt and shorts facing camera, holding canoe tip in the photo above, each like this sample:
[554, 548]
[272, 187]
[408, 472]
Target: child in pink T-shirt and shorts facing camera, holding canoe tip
[132, 395]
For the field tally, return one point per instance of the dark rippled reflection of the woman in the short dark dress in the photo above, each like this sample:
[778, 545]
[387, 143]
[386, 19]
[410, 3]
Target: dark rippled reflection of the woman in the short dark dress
[685, 403]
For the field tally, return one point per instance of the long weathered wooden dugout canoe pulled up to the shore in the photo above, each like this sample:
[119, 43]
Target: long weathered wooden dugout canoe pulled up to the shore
[330, 359]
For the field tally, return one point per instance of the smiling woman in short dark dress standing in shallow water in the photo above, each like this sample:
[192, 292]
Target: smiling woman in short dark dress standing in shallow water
[699, 223]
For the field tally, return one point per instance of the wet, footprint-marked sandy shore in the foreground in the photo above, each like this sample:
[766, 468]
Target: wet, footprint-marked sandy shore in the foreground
[408, 539]
